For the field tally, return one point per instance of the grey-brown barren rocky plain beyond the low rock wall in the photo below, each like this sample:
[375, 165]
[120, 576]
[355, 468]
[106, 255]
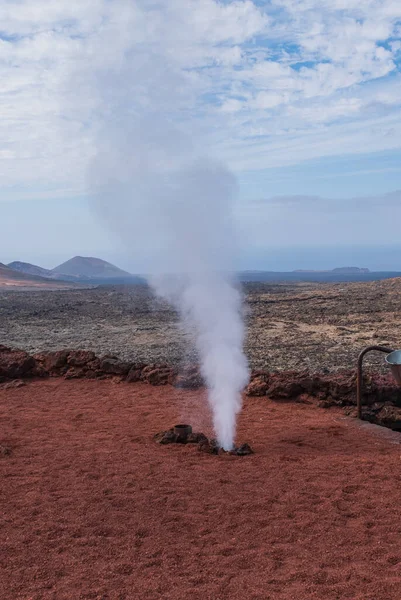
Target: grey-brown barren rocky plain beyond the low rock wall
[318, 327]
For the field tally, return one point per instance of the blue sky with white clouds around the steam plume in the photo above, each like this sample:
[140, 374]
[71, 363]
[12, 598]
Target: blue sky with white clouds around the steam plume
[300, 99]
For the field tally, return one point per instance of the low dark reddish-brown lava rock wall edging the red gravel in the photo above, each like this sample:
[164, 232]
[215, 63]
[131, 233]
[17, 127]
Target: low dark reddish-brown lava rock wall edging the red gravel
[382, 397]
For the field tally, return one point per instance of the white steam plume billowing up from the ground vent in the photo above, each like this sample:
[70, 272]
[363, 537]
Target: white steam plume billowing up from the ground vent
[177, 208]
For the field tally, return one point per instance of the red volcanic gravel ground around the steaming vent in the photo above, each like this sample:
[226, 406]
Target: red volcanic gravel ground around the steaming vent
[93, 508]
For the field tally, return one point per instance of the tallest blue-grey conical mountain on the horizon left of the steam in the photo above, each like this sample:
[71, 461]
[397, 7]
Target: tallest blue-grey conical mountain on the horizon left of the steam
[89, 268]
